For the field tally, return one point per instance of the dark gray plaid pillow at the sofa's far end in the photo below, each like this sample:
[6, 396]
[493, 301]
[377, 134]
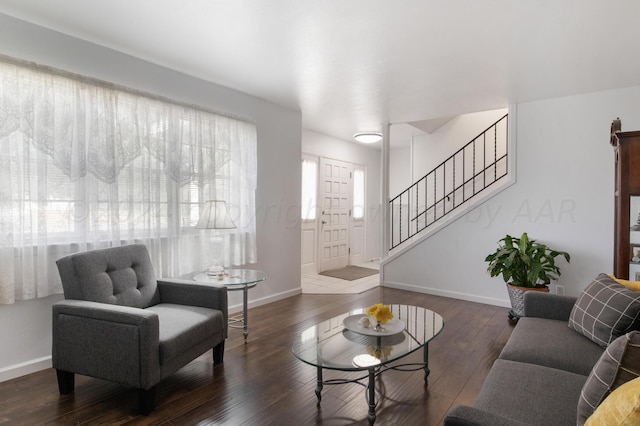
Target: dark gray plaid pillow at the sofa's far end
[605, 310]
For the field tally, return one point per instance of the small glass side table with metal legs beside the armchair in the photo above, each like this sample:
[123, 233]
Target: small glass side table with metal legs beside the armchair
[236, 280]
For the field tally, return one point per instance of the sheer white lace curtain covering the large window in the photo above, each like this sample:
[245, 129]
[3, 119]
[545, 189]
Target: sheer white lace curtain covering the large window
[84, 165]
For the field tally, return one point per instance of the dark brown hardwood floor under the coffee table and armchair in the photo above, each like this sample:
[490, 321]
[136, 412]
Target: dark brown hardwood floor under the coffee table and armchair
[262, 383]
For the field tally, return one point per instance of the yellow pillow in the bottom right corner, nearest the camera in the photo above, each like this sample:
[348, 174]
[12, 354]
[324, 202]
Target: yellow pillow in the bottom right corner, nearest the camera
[620, 408]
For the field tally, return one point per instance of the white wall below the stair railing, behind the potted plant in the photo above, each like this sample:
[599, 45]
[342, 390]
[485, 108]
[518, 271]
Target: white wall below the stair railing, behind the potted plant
[563, 197]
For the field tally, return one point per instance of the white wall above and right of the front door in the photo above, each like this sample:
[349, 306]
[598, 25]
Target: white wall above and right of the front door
[326, 146]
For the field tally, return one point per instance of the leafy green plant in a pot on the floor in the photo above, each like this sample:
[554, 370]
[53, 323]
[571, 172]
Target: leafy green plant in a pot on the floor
[524, 264]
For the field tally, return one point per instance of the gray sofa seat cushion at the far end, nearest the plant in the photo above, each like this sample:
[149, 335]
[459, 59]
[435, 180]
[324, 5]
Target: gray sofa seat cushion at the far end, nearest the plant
[552, 344]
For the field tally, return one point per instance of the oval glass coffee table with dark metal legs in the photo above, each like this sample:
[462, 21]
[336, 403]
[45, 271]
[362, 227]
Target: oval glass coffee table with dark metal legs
[342, 343]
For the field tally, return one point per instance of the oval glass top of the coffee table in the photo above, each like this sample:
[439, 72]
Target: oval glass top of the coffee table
[330, 345]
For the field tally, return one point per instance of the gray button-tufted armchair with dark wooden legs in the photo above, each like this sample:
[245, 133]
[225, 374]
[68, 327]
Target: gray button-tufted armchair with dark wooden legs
[119, 323]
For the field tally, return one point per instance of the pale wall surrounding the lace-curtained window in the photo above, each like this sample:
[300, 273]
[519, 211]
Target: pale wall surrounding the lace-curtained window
[25, 326]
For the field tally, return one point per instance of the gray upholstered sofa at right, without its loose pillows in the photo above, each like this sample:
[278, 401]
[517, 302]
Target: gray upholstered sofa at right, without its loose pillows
[538, 377]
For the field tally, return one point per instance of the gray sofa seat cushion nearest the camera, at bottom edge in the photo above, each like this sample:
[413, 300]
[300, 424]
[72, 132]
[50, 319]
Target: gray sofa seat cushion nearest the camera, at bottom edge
[531, 394]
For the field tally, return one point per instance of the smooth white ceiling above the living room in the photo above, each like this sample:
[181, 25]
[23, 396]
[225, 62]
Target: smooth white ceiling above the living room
[351, 65]
